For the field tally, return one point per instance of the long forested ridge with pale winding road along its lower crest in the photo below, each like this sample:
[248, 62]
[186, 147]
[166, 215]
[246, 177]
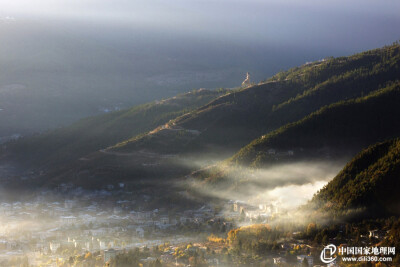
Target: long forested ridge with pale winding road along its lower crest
[233, 120]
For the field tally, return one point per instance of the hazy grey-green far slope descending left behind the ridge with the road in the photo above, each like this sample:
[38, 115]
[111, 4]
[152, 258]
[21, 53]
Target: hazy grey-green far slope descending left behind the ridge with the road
[94, 133]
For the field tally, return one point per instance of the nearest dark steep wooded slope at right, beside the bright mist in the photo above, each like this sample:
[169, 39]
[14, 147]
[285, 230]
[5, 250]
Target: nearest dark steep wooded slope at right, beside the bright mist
[371, 181]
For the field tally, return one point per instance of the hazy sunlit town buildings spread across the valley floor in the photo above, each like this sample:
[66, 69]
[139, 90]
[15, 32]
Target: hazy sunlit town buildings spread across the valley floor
[46, 229]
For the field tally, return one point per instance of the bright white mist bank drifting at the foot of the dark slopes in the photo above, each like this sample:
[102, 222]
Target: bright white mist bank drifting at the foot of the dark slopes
[290, 185]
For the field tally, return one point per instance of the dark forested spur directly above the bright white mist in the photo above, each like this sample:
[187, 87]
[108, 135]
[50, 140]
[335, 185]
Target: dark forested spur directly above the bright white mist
[332, 131]
